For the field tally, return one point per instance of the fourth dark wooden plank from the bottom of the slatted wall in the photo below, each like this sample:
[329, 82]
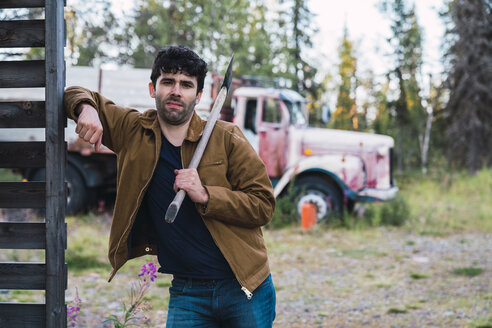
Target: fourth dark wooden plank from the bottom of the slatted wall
[23, 195]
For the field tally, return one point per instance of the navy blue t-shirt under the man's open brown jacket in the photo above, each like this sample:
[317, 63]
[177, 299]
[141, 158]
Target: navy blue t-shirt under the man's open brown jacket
[186, 247]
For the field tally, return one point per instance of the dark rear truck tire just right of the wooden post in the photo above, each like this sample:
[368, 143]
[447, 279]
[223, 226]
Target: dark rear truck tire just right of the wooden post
[77, 193]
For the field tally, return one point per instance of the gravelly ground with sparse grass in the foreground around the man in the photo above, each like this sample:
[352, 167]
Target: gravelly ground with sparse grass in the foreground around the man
[336, 278]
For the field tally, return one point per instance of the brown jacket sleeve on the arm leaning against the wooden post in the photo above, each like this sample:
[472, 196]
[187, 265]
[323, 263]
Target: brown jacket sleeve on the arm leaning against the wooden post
[116, 120]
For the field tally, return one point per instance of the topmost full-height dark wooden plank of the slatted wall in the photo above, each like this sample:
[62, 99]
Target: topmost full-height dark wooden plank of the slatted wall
[21, 33]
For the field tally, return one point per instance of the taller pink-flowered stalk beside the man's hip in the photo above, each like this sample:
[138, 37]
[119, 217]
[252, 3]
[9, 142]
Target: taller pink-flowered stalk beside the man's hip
[131, 316]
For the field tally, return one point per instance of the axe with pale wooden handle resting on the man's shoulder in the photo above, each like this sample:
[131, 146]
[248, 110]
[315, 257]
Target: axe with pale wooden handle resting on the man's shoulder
[173, 208]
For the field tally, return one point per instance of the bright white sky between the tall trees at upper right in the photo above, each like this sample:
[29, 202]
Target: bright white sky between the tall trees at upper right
[370, 29]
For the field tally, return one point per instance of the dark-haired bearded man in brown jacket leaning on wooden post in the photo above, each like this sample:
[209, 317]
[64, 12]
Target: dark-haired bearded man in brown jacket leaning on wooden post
[215, 248]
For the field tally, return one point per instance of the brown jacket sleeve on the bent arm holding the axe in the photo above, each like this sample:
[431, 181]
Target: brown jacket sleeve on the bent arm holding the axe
[250, 201]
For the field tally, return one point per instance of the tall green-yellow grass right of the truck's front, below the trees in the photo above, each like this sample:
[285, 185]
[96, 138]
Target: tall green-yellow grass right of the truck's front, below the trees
[436, 204]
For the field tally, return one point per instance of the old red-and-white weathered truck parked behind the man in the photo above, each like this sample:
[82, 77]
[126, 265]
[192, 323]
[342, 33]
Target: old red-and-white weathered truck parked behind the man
[332, 169]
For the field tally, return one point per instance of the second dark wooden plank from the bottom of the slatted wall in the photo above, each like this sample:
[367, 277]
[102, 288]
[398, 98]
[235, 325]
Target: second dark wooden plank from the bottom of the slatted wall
[17, 275]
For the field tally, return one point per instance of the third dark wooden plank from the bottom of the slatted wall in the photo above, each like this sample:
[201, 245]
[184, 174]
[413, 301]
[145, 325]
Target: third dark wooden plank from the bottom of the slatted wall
[22, 235]
